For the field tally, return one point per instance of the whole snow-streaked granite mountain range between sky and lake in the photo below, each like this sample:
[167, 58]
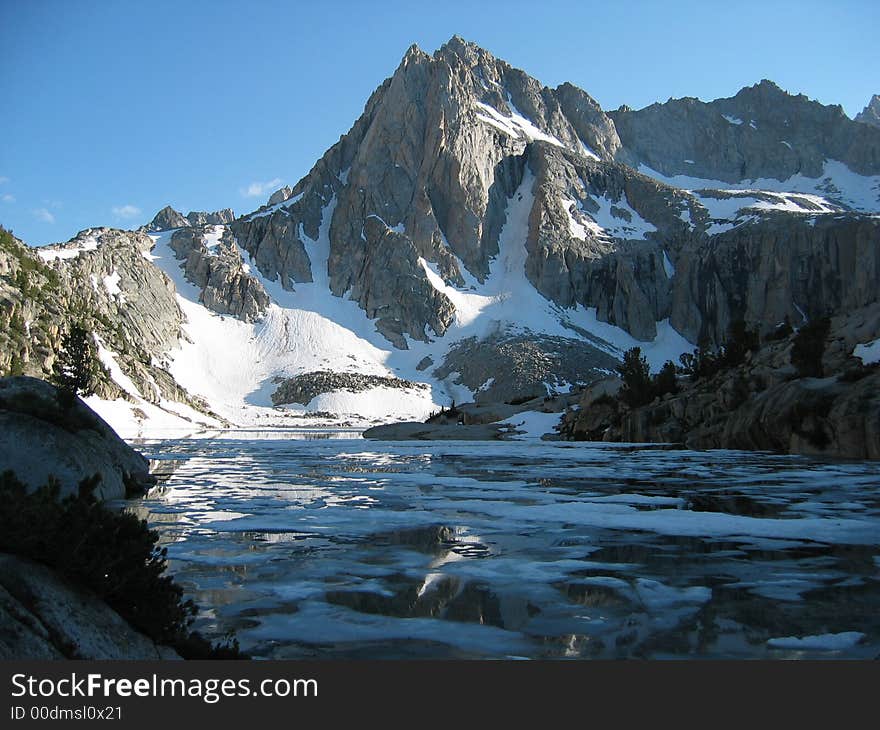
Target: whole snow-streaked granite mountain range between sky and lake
[494, 239]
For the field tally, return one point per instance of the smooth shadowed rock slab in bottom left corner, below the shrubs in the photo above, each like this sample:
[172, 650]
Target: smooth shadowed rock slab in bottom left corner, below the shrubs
[42, 617]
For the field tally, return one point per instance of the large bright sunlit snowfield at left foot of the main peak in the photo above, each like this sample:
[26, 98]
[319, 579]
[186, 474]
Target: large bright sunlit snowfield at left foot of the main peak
[233, 364]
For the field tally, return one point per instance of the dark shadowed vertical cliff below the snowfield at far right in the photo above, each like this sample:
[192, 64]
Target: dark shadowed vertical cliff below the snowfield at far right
[777, 267]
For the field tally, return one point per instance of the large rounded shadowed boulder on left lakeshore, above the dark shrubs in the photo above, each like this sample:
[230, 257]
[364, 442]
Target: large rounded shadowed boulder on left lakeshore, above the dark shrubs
[42, 438]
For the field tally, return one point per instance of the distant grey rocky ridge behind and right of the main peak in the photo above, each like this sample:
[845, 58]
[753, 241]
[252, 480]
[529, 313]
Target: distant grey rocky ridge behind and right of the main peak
[761, 132]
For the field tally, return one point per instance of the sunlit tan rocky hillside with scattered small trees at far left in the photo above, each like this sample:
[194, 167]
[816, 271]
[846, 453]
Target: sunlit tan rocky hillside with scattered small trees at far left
[103, 280]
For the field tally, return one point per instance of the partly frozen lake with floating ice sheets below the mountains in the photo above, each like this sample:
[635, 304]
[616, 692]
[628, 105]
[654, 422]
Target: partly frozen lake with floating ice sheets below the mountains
[344, 548]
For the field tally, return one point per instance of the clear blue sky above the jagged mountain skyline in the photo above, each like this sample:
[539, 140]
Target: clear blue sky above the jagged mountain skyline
[112, 110]
